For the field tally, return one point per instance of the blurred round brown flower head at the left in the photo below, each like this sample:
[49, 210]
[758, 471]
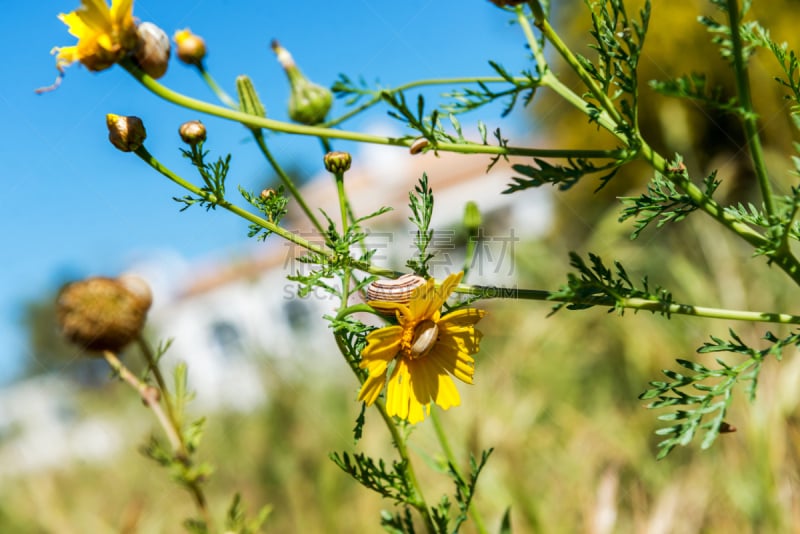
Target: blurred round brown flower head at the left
[102, 313]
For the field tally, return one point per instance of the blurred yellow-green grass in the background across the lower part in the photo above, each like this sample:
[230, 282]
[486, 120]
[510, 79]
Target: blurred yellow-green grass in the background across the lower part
[556, 398]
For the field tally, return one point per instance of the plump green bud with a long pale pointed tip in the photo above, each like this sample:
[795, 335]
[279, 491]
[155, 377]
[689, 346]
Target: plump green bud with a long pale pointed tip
[309, 103]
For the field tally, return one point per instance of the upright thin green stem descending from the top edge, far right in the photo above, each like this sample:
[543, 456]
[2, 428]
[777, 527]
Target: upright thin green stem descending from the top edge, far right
[746, 100]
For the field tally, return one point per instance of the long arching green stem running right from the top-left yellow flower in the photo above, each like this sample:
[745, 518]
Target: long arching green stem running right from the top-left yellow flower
[252, 121]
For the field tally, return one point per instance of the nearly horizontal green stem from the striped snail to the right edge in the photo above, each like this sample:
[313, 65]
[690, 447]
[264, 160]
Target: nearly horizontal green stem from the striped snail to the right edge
[488, 292]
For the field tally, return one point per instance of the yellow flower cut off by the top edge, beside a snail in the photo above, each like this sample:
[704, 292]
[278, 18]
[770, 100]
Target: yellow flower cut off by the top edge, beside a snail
[105, 35]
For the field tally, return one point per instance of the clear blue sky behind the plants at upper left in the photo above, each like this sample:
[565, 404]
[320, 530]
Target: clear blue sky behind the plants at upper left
[72, 205]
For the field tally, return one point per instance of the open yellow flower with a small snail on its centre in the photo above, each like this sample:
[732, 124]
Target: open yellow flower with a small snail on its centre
[427, 350]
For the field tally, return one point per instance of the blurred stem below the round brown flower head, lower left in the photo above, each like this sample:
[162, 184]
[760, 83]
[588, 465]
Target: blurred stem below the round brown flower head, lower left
[167, 423]
